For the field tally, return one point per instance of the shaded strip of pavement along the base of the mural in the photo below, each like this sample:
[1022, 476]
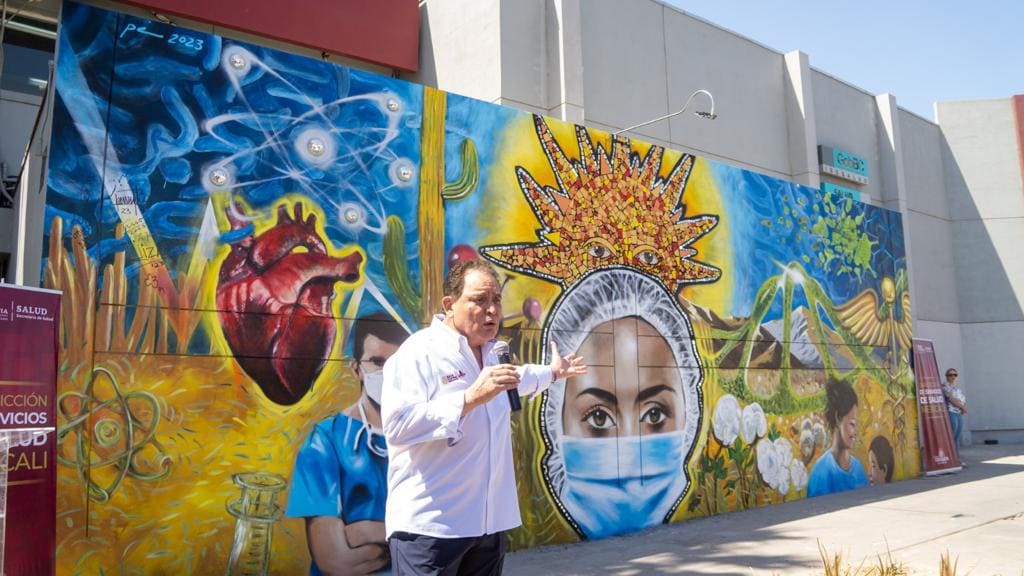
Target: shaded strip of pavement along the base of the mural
[732, 544]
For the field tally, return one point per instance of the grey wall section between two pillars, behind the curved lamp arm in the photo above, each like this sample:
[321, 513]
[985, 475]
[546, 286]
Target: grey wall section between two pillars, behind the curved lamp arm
[644, 60]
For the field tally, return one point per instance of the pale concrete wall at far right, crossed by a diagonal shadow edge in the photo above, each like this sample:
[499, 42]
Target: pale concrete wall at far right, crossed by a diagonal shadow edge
[987, 210]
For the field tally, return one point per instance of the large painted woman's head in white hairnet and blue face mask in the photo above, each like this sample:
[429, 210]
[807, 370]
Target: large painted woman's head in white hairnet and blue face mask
[619, 438]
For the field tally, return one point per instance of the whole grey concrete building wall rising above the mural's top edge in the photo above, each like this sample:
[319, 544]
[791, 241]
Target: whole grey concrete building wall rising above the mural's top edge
[611, 65]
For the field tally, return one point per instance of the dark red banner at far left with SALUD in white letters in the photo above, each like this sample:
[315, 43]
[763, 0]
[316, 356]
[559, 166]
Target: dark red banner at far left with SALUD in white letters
[29, 332]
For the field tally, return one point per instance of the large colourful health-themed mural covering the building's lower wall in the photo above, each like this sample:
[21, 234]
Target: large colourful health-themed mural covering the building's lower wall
[245, 236]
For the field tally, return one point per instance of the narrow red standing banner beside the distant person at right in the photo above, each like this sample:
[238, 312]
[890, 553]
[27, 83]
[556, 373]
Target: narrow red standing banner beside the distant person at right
[937, 437]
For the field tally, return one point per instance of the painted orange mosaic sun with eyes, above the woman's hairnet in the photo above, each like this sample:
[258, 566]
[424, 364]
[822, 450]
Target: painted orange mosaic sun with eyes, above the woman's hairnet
[611, 210]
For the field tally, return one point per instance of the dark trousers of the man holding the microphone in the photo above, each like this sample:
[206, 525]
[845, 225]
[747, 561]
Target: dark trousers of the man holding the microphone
[416, 555]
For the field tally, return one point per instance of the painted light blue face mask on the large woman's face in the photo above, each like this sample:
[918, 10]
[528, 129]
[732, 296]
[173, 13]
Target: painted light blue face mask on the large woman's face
[620, 485]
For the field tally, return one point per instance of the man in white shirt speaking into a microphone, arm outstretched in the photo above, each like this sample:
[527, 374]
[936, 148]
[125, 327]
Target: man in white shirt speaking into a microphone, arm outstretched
[447, 420]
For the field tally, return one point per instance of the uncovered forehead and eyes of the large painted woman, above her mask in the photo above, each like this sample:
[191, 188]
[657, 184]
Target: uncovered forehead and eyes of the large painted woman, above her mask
[632, 386]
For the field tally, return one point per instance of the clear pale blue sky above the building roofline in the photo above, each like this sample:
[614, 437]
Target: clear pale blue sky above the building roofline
[922, 52]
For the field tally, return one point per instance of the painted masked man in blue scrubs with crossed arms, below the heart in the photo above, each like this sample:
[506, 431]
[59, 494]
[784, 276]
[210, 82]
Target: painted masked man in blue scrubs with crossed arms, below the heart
[340, 481]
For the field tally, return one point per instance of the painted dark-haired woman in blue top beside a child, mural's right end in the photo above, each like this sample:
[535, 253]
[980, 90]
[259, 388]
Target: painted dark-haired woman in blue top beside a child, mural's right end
[839, 470]
